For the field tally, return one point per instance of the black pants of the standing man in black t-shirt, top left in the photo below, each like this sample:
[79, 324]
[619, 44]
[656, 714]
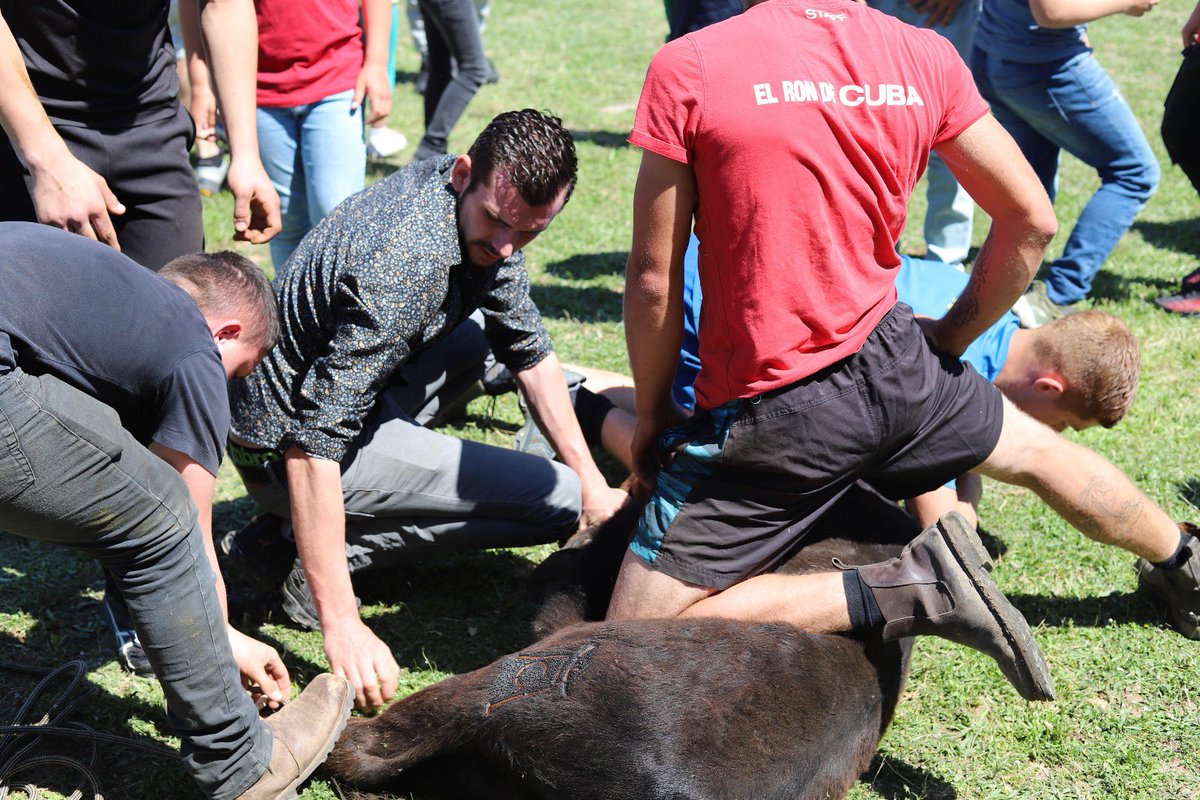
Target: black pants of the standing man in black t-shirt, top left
[148, 171]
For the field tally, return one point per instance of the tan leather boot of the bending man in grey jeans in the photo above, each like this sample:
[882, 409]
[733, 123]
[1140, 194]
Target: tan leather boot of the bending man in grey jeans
[305, 731]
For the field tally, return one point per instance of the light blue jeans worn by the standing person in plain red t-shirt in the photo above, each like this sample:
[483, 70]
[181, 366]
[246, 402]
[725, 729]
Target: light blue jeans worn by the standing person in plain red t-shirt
[316, 158]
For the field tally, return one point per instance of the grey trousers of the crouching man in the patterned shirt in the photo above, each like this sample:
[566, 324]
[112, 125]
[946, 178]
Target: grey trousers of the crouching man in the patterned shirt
[406, 486]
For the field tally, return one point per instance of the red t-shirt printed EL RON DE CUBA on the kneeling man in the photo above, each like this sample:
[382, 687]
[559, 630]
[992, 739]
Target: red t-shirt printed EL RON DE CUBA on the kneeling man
[807, 124]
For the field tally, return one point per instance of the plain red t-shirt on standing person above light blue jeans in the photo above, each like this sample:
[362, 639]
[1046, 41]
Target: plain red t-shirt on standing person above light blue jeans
[308, 50]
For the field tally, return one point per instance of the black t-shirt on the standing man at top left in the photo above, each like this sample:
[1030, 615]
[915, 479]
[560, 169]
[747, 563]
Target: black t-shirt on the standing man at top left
[101, 64]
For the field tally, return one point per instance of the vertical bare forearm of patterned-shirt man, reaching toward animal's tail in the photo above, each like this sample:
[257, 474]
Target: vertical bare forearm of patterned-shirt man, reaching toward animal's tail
[319, 520]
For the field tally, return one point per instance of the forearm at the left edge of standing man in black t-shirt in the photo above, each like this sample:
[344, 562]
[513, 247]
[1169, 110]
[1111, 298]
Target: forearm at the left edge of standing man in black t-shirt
[22, 116]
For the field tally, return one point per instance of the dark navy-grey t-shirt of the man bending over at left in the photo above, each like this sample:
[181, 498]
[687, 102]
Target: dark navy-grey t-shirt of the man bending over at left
[82, 312]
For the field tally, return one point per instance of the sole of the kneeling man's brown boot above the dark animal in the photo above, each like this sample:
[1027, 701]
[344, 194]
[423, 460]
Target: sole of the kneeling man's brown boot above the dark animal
[964, 543]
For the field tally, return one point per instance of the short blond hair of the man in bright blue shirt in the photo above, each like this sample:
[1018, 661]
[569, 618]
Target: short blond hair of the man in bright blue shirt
[1097, 356]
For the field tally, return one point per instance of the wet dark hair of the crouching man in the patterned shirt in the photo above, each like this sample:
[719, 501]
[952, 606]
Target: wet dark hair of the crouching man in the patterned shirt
[533, 149]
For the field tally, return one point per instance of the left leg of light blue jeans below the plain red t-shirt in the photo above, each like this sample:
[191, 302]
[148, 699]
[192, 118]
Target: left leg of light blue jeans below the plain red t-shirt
[279, 146]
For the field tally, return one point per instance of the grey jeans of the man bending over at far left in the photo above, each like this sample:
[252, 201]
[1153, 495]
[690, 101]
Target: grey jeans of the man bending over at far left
[71, 476]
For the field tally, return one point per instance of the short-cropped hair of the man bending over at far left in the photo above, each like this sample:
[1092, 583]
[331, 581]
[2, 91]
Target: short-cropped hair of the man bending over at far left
[229, 285]
